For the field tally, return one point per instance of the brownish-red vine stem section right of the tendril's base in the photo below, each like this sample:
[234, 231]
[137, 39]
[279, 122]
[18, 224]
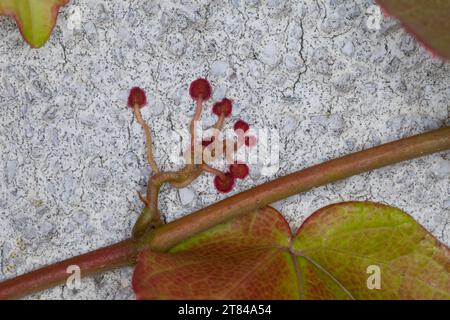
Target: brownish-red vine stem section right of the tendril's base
[170, 234]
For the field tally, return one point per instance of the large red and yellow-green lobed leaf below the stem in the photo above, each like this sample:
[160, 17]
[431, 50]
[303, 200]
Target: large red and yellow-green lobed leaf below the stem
[340, 252]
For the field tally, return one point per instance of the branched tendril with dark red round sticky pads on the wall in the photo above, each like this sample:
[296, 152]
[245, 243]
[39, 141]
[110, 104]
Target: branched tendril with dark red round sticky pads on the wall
[211, 149]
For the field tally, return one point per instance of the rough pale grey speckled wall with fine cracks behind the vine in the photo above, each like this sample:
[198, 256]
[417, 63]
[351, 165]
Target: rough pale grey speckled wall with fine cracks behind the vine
[72, 158]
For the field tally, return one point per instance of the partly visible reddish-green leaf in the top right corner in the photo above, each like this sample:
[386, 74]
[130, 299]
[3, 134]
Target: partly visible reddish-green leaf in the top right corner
[427, 20]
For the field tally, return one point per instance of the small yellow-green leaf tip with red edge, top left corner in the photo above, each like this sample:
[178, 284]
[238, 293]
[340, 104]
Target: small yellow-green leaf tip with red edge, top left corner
[35, 18]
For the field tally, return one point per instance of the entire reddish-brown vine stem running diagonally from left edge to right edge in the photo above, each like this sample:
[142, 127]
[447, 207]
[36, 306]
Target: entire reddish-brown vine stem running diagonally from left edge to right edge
[165, 236]
